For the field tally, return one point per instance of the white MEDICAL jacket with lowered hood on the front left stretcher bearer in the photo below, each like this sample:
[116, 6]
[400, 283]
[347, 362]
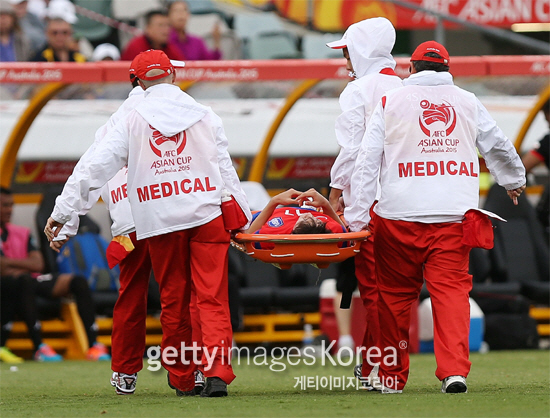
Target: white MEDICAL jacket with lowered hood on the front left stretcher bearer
[178, 164]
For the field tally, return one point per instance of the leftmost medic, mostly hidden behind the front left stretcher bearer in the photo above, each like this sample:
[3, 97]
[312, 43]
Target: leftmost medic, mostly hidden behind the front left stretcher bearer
[132, 256]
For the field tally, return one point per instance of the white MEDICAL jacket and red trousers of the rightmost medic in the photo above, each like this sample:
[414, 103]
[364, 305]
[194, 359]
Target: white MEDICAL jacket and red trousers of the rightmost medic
[422, 139]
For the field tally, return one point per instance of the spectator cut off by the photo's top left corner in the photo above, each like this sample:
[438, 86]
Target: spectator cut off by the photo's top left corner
[14, 45]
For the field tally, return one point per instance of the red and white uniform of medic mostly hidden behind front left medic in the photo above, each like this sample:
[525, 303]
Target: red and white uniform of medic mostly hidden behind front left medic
[130, 311]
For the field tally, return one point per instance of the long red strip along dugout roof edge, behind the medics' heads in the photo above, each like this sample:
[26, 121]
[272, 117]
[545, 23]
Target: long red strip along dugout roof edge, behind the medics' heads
[258, 70]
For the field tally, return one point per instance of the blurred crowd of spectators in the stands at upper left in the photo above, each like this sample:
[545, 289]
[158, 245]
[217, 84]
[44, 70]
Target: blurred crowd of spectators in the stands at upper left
[42, 31]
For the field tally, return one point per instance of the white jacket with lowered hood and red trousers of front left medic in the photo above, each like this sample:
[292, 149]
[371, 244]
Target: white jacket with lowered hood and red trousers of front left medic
[177, 158]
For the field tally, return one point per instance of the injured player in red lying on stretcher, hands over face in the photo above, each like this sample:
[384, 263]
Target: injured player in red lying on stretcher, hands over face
[294, 218]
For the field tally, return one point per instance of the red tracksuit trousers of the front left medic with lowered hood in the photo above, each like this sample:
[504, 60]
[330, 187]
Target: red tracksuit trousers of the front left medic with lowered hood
[194, 257]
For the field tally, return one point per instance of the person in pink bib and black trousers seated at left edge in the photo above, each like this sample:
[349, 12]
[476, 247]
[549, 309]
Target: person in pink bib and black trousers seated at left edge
[20, 262]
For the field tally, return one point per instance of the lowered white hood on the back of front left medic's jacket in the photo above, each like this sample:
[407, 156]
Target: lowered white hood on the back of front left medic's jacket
[170, 110]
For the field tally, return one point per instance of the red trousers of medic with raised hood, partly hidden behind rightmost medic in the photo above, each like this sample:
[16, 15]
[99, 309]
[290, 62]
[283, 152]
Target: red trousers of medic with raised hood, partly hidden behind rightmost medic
[366, 282]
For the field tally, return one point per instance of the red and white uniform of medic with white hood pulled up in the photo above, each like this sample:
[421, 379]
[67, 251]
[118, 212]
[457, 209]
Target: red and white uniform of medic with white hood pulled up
[369, 44]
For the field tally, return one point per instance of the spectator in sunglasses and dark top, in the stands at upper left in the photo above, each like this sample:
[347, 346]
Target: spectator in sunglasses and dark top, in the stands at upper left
[59, 43]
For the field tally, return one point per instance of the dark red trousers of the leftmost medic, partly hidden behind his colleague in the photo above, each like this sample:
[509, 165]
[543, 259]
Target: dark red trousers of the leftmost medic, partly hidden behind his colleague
[130, 311]
